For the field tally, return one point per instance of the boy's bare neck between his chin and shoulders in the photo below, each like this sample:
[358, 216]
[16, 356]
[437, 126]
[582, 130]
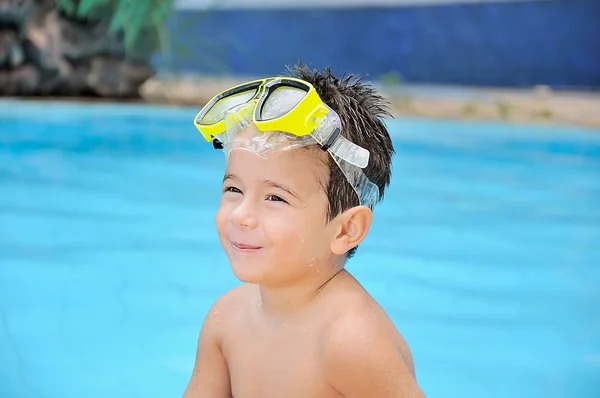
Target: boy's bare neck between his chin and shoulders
[288, 300]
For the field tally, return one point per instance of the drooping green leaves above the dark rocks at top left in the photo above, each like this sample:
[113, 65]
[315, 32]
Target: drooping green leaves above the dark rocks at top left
[132, 17]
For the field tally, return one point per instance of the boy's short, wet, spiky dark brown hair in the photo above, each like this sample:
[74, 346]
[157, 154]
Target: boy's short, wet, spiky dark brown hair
[362, 111]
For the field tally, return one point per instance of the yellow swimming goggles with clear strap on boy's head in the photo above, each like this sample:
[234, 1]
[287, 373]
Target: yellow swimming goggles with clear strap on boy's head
[283, 113]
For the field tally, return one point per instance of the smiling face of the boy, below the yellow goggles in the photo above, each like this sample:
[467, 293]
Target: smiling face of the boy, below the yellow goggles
[272, 219]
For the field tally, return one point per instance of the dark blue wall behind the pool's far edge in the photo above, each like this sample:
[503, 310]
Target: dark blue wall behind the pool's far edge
[554, 42]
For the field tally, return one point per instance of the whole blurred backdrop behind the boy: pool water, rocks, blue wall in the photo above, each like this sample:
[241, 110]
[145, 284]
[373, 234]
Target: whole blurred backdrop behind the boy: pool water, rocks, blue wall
[485, 252]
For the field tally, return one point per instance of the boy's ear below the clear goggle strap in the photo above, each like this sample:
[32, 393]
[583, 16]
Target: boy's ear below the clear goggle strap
[351, 229]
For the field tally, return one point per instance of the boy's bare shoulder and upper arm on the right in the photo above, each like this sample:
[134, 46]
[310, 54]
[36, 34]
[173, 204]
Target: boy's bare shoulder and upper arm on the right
[365, 355]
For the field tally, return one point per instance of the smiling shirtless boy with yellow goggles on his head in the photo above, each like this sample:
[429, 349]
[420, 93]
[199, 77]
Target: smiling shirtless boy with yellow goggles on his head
[297, 201]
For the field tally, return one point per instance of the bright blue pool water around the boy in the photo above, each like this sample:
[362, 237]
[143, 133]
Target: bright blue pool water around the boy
[485, 253]
